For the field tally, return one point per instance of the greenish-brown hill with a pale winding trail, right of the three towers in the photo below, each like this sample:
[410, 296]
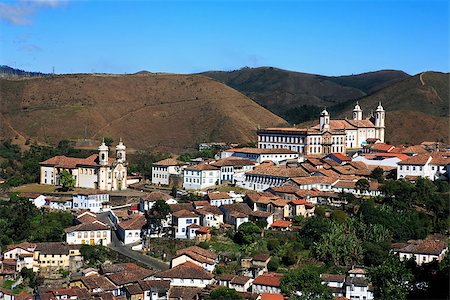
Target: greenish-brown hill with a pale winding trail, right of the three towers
[417, 108]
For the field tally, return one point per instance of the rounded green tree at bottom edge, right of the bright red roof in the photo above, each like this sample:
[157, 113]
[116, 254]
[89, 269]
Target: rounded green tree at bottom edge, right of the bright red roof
[304, 284]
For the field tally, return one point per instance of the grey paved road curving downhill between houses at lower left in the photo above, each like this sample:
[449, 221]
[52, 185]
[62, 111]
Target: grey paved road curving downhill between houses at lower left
[126, 250]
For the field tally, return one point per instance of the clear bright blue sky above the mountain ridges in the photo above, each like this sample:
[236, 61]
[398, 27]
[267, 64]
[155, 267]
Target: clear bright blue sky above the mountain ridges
[322, 37]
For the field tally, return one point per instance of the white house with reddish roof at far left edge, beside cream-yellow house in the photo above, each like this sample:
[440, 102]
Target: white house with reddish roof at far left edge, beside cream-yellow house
[19, 256]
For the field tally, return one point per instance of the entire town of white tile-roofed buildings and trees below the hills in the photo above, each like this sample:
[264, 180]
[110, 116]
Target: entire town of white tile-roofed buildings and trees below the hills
[332, 211]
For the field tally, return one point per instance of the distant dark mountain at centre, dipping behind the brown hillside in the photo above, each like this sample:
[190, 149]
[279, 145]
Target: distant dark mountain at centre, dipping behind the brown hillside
[299, 97]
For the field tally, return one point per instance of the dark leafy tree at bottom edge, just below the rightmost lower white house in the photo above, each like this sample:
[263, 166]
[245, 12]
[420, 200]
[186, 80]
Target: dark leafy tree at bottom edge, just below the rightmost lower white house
[391, 279]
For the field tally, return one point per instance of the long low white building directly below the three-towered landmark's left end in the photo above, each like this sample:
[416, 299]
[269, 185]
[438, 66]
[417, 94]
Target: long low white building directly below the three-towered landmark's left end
[259, 155]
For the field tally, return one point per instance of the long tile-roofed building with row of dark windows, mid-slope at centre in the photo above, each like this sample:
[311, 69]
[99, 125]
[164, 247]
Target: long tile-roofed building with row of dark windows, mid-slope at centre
[264, 177]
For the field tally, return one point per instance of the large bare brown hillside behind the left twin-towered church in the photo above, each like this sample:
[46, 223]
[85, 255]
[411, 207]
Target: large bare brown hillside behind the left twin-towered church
[171, 111]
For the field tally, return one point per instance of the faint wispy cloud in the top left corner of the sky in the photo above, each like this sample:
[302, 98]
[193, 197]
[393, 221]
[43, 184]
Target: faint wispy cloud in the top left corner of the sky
[21, 12]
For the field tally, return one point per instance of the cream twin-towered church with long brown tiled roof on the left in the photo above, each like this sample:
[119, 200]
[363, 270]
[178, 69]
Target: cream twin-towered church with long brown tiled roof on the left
[98, 171]
